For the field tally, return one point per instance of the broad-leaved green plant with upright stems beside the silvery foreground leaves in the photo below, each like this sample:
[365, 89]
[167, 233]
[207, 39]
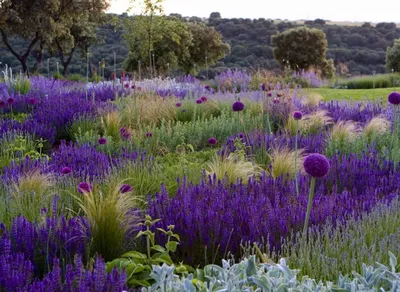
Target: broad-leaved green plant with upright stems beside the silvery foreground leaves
[138, 266]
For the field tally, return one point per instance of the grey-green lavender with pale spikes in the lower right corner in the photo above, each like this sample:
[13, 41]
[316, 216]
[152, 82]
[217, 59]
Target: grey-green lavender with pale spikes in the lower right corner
[341, 249]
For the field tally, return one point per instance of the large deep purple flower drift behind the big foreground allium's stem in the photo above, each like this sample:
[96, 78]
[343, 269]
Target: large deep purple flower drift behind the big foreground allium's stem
[216, 214]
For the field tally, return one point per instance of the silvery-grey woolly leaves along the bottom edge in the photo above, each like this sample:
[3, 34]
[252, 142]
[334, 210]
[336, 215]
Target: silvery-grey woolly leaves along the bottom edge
[249, 275]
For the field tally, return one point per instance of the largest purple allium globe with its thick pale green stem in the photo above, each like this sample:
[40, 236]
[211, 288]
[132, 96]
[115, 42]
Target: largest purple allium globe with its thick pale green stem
[317, 166]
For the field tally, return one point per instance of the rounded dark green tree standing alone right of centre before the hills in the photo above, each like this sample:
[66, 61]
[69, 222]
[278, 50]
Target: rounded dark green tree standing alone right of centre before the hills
[300, 48]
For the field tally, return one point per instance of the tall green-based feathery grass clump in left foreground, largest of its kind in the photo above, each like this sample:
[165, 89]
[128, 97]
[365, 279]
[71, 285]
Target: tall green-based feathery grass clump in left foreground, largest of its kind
[111, 217]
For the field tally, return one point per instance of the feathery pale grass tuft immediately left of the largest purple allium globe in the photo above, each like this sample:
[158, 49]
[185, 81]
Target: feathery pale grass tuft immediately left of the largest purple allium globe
[286, 162]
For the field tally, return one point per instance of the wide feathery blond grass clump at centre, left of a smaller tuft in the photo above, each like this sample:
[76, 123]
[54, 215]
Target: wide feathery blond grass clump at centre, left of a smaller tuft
[232, 167]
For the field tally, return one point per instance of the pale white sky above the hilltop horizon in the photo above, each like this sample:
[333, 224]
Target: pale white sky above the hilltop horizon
[337, 10]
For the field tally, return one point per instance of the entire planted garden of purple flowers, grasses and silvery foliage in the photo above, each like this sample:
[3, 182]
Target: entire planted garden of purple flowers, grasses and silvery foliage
[180, 185]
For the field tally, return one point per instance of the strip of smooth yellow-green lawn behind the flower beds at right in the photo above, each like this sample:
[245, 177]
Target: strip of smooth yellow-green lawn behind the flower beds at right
[353, 94]
